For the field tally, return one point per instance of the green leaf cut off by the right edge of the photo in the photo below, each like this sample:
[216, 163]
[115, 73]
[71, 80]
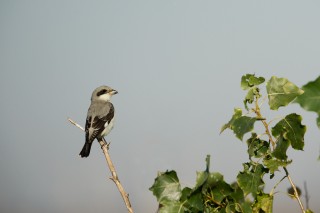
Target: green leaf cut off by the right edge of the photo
[310, 99]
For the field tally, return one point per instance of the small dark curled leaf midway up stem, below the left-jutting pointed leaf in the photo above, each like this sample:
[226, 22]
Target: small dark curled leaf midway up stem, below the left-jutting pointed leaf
[257, 147]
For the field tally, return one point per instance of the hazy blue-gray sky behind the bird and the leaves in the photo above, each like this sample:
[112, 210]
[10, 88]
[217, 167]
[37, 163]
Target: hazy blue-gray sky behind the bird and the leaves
[177, 66]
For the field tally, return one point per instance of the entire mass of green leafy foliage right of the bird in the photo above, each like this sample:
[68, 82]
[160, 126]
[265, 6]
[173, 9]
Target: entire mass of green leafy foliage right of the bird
[267, 152]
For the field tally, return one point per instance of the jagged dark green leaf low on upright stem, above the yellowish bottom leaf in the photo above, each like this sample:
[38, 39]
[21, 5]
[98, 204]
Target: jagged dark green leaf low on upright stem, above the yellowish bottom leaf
[250, 179]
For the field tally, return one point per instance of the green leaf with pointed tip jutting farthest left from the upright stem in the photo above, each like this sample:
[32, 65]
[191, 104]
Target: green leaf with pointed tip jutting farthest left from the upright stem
[239, 124]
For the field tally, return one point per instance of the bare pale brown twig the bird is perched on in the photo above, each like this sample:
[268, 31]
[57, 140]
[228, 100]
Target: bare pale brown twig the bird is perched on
[105, 147]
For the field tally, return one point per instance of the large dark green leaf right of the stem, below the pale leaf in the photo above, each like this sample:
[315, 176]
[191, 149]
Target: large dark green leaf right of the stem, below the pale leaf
[292, 130]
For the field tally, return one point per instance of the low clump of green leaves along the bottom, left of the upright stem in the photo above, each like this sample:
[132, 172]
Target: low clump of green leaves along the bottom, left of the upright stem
[210, 194]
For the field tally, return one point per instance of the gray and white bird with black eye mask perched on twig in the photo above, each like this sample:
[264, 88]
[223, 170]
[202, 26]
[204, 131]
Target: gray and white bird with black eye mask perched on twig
[100, 117]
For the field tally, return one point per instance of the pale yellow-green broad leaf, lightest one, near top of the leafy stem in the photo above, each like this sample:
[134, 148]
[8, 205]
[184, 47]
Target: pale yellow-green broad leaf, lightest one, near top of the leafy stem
[281, 92]
